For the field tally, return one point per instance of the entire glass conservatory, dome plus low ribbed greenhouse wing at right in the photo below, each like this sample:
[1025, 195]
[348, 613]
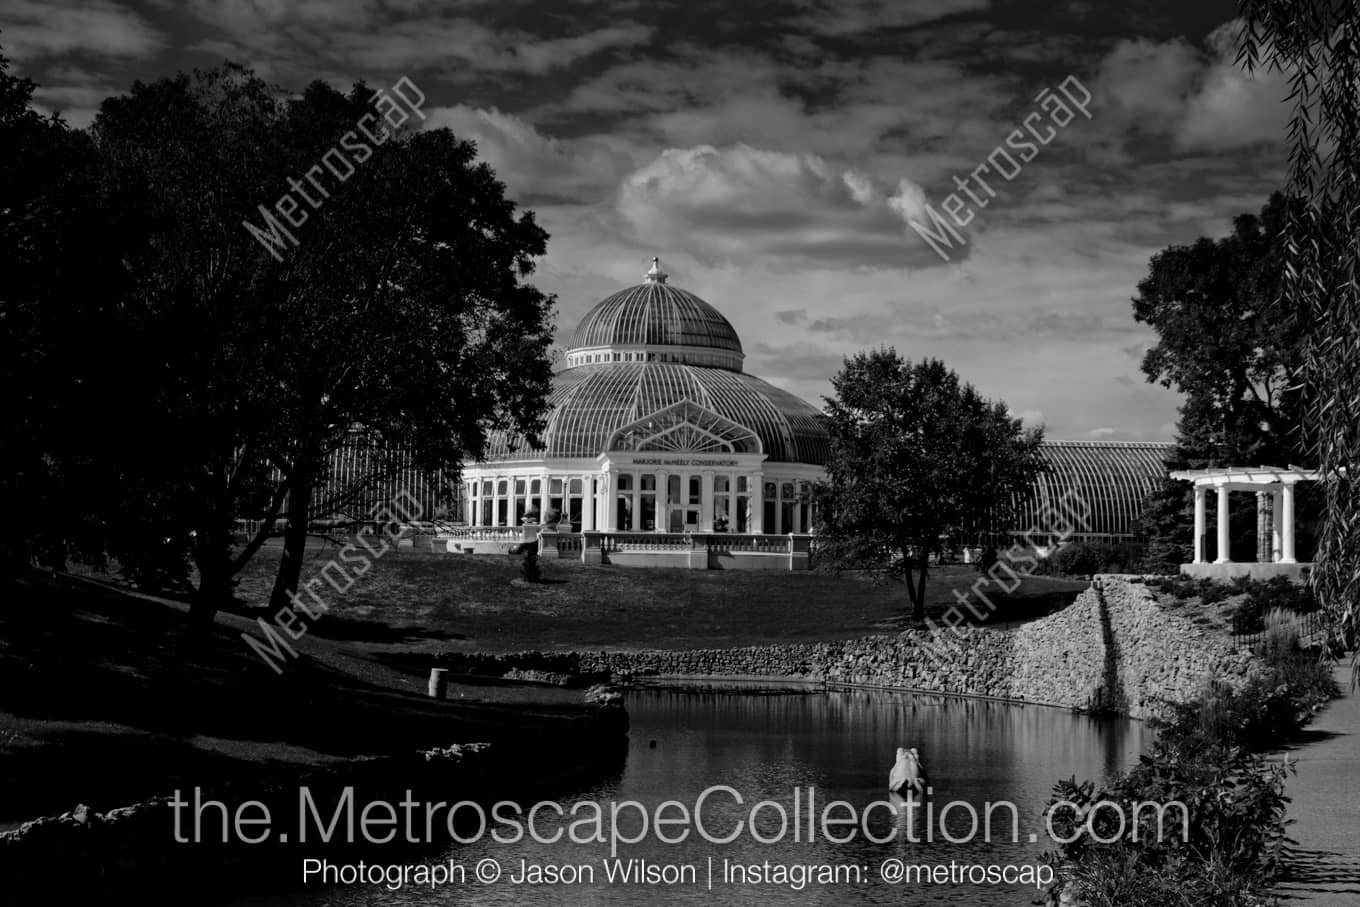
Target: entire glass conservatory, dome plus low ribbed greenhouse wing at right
[660, 449]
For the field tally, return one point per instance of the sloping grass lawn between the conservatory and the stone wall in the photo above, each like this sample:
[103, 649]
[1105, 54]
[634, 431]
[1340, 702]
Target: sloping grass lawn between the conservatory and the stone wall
[420, 602]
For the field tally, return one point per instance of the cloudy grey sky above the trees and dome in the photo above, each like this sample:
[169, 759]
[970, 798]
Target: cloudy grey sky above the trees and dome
[773, 154]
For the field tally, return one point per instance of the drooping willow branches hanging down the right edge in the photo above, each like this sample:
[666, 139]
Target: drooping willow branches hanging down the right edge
[1314, 44]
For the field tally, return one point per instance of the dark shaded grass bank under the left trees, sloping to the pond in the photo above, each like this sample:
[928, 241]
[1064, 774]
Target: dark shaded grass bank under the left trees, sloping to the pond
[111, 694]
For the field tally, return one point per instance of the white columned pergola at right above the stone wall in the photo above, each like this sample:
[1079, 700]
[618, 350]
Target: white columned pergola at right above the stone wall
[1264, 481]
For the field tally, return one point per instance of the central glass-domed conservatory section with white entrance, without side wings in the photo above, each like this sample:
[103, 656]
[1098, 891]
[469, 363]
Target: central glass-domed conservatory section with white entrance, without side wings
[656, 429]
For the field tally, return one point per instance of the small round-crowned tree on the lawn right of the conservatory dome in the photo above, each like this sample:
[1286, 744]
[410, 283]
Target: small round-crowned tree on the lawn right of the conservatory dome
[917, 456]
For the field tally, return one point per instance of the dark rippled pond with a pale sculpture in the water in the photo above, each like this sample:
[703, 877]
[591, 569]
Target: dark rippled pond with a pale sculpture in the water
[794, 750]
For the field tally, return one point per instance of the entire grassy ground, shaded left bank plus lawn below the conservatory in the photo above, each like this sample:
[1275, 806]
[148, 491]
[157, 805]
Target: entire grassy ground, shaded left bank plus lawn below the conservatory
[92, 670]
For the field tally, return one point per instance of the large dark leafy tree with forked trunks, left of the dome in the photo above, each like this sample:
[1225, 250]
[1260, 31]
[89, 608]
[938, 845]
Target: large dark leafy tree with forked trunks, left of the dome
[402, 311]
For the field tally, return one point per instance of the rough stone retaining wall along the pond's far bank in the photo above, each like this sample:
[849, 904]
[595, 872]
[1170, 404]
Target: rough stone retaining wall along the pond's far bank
[1115, 649]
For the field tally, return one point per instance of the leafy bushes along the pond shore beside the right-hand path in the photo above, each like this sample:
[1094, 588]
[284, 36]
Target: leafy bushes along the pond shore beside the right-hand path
[1229, 845]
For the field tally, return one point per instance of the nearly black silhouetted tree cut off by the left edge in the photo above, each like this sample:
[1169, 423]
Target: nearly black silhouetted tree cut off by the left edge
[59, 255]
